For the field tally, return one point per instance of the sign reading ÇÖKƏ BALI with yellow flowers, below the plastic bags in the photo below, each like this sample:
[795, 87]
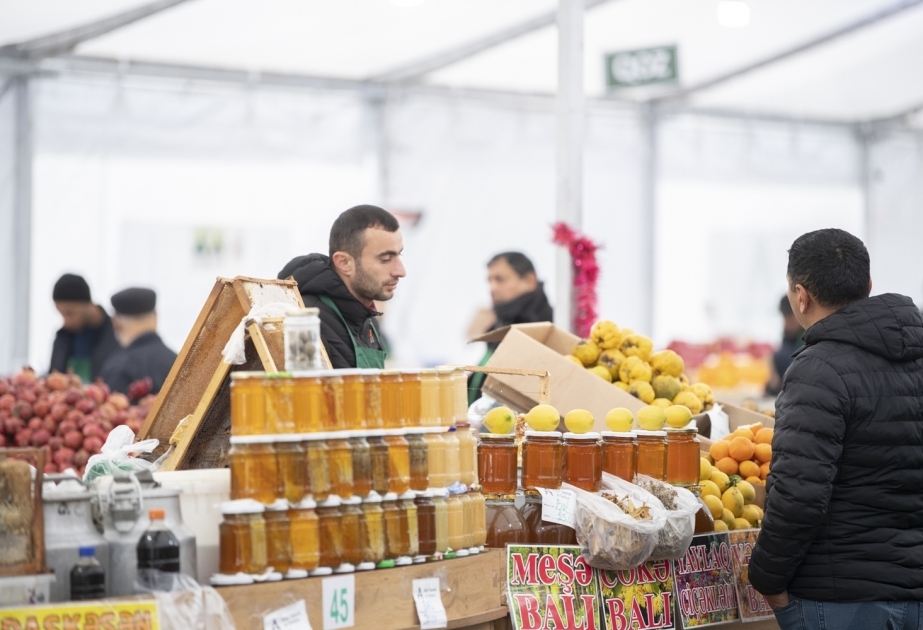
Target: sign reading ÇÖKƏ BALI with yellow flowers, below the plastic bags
[638, 598]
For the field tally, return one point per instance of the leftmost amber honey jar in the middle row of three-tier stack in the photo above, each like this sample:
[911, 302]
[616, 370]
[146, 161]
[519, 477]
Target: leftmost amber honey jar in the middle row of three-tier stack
[254, 469]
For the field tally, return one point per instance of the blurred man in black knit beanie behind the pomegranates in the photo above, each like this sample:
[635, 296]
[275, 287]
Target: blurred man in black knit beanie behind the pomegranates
[87, 338]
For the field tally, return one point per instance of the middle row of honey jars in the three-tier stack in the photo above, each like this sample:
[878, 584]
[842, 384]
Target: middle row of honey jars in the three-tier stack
[268, 468]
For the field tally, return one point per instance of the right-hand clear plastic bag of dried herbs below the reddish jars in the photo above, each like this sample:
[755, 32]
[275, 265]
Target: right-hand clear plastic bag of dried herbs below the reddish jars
[673, 540]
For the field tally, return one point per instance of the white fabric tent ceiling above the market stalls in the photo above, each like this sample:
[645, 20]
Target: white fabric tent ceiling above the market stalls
[865, 74]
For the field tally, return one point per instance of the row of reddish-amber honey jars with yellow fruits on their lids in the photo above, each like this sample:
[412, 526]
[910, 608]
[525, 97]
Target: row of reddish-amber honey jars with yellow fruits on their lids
[548, 458]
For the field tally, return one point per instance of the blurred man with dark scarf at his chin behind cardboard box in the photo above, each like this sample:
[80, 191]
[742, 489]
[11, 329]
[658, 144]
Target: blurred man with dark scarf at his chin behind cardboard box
[518, 298]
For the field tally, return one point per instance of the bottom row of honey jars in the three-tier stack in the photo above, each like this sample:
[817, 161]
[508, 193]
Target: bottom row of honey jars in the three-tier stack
[337, 535]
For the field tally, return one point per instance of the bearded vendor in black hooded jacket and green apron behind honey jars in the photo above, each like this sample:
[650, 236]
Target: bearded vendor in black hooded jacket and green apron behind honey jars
[364, 265]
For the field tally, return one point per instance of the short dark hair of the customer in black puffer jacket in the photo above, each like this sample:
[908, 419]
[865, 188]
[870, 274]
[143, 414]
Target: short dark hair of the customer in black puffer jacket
[833, 265]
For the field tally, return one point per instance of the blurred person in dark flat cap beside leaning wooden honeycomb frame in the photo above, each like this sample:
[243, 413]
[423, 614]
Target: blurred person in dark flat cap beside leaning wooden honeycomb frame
[144, 362]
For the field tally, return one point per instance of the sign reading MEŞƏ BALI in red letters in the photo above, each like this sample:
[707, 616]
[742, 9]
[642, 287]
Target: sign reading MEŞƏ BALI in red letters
[551, 588]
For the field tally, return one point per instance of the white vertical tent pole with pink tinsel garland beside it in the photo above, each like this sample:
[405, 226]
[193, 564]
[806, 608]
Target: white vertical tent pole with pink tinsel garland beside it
[571, 110]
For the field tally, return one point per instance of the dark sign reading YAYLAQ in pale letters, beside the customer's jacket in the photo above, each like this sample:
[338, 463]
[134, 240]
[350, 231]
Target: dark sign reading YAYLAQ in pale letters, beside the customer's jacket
[706, 587]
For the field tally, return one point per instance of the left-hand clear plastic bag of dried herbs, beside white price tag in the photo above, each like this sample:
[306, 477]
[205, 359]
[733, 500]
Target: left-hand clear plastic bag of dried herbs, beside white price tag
[610, 538]
